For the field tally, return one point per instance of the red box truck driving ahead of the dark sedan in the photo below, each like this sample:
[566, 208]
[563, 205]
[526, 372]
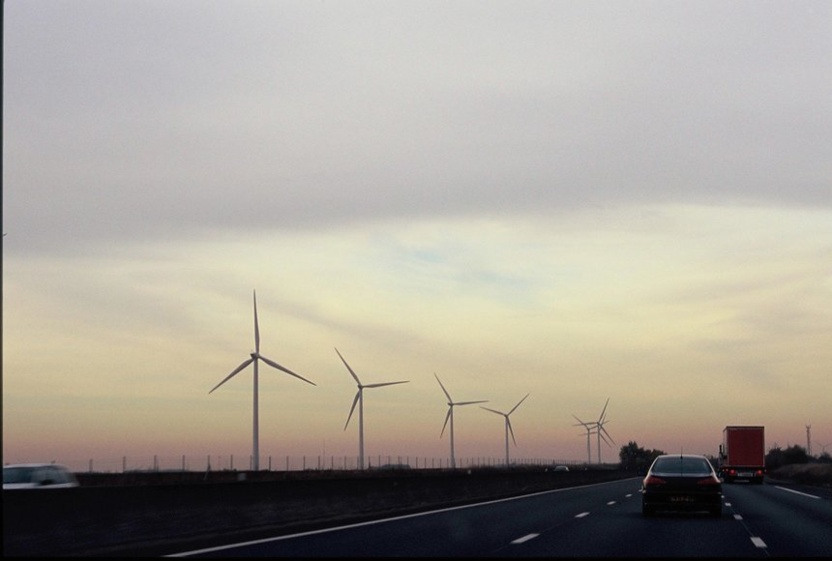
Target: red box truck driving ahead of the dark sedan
[742, 454]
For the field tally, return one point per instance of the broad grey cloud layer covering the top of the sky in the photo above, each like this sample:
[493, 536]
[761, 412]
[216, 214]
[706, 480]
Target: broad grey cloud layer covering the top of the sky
[145, 120]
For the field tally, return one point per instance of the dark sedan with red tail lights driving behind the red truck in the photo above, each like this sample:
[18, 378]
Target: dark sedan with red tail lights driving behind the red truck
[683, 482]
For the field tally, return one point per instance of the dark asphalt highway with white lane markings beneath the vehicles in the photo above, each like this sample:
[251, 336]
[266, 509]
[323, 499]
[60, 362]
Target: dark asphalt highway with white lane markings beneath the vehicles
[601, 520]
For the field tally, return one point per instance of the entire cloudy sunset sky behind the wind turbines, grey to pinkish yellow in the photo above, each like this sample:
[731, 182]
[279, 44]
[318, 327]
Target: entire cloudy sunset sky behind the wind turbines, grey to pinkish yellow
[586, 202]
